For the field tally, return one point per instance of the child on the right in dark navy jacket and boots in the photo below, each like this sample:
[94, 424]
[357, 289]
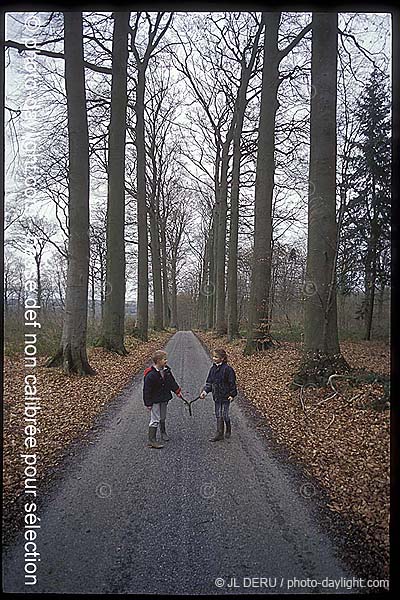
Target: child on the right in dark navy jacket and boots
[221, 381]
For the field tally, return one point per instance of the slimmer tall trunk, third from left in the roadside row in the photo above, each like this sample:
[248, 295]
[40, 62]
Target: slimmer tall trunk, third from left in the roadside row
[143, 274]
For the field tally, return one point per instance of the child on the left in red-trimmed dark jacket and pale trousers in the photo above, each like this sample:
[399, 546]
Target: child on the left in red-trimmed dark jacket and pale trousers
[157, 386]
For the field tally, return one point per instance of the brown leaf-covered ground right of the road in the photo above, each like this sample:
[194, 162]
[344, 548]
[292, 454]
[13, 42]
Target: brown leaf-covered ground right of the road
[343, 442]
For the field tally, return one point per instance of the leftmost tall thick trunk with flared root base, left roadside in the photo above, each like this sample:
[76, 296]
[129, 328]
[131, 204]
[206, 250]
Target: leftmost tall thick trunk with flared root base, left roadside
[72, 352]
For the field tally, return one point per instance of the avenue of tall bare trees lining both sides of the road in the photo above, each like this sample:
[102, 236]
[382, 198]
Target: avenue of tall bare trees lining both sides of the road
[202, 131]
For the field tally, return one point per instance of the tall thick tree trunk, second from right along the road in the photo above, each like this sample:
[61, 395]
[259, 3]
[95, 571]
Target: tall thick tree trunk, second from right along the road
[261, 272]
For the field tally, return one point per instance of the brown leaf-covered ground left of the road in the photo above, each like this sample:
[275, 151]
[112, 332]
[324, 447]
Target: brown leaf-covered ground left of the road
[69, 407]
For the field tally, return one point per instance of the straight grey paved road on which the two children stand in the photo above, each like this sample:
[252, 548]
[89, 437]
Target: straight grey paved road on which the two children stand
[124, 518]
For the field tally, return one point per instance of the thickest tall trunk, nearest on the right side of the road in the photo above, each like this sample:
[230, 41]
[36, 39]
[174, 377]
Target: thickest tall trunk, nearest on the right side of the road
[321, 342]
